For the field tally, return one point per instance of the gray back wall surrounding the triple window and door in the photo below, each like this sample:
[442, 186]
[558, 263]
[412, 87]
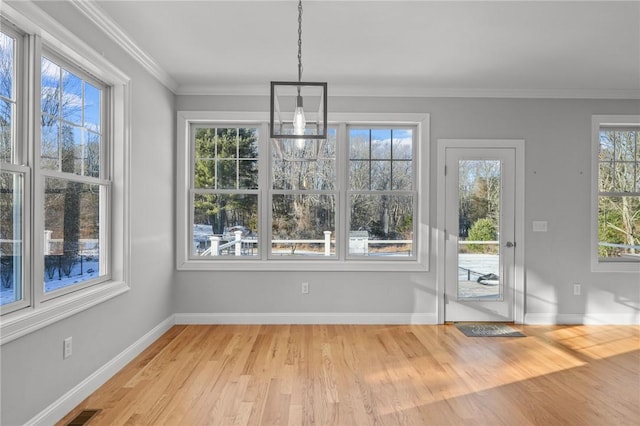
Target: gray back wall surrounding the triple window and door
[557, 136]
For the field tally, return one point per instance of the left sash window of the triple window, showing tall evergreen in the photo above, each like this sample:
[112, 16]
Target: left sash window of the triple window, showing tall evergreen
[225, 191]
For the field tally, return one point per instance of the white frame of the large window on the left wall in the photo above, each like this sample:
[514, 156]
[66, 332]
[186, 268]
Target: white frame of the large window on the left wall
[41, 30]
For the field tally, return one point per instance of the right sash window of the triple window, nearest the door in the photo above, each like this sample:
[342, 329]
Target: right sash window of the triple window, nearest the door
[381, 191]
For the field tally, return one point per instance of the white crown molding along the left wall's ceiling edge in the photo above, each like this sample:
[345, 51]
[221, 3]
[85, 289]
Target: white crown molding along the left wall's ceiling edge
[95, 14]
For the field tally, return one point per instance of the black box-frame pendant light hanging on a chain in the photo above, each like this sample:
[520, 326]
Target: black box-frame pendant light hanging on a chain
[298, 109]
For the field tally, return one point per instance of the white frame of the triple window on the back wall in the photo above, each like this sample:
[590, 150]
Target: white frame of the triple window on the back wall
[339, 262]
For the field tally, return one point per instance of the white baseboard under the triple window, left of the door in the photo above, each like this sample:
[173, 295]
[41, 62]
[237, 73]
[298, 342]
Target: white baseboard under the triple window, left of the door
[306, 318]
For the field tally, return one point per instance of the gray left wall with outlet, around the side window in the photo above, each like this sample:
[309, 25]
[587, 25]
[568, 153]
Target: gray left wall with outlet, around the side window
[33, 372]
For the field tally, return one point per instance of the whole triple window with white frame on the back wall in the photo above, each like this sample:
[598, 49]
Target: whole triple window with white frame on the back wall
[355, 201]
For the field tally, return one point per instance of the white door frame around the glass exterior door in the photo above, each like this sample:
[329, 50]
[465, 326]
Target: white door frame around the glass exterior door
[519, 284]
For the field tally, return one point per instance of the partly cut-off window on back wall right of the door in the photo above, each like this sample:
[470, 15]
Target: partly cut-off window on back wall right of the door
[616, 194]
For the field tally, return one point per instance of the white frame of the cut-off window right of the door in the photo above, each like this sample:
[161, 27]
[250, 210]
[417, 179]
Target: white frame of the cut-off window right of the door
[597, 122]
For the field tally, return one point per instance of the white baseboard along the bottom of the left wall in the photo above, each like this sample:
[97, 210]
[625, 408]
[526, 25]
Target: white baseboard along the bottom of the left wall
[67, 402]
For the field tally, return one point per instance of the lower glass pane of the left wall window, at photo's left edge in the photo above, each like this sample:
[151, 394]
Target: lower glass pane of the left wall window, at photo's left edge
[11, 248]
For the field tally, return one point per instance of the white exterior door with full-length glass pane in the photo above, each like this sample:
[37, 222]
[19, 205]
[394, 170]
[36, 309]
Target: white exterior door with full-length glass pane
[479, 234]
